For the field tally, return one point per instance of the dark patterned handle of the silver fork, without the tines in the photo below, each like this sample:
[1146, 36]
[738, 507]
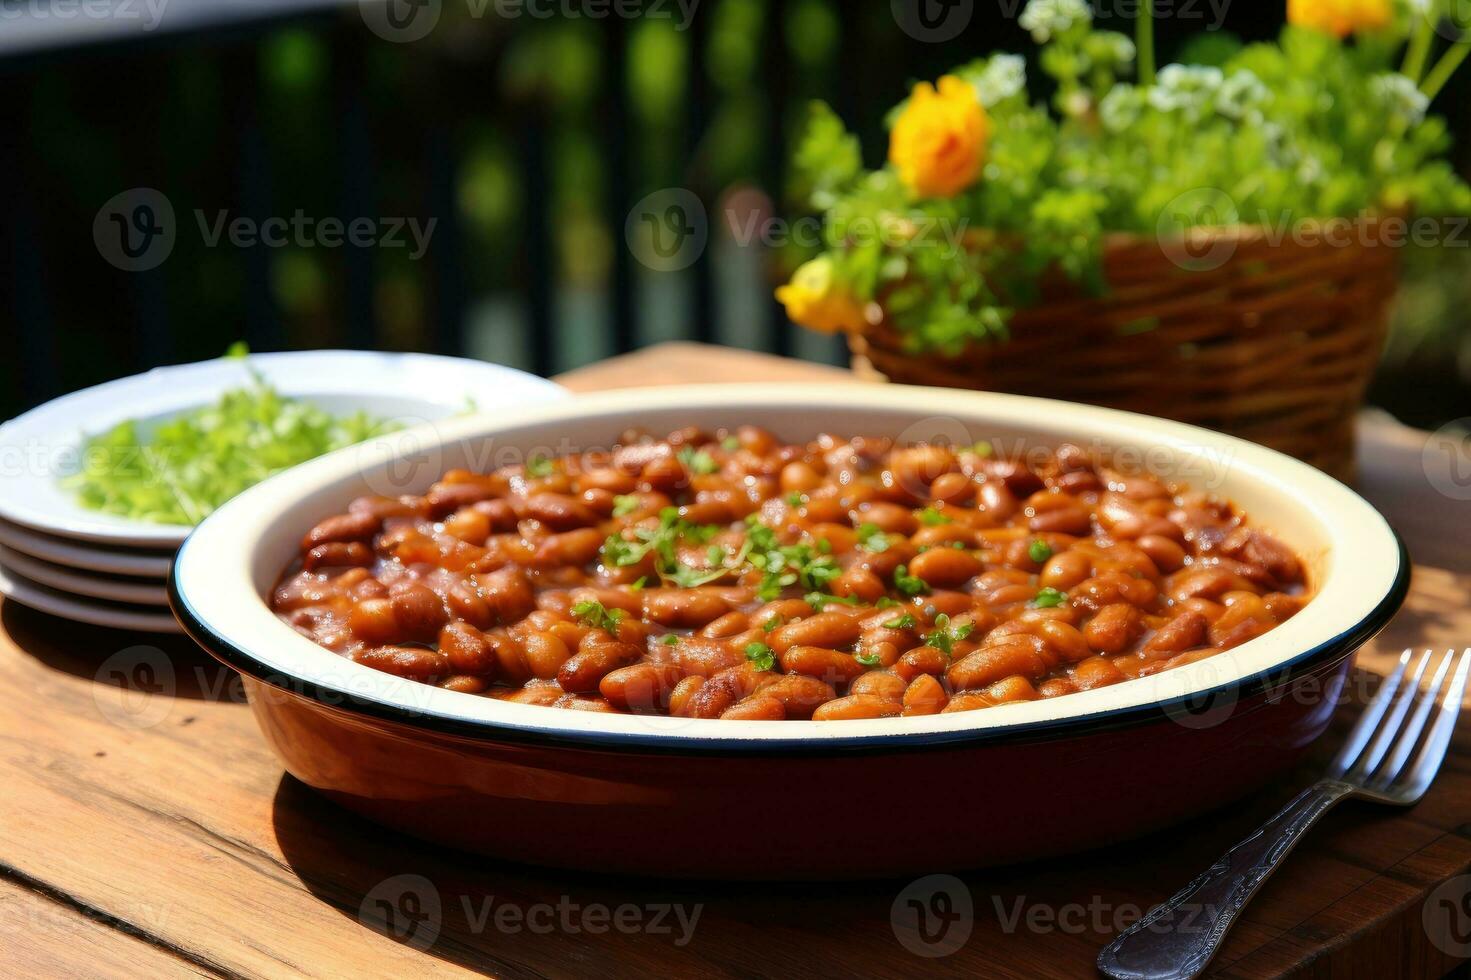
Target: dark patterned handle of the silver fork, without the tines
[1178, 940]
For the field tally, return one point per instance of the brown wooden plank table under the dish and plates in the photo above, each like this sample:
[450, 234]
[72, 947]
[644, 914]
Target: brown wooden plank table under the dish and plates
[148, 831]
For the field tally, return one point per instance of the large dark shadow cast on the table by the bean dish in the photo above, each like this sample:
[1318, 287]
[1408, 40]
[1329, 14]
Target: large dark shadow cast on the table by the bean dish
[1044, 919]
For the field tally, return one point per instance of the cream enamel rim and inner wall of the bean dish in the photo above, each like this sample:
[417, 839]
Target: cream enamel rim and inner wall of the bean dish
[232, 561]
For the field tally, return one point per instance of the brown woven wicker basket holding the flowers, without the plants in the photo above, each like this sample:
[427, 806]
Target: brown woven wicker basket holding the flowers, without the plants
[1267, 338]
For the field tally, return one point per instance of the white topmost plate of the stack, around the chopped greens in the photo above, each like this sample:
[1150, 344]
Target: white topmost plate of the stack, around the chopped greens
[45, 445]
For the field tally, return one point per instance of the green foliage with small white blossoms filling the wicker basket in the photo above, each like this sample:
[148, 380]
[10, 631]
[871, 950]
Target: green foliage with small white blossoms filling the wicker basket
[1278, 133]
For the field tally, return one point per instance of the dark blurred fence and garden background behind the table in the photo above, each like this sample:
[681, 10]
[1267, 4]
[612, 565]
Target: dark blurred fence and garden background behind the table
[530, 133]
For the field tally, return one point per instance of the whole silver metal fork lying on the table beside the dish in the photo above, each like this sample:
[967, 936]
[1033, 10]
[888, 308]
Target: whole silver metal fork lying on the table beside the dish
[1178, 940]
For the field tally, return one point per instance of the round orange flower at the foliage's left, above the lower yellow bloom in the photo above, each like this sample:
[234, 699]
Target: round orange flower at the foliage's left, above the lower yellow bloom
[939, 141]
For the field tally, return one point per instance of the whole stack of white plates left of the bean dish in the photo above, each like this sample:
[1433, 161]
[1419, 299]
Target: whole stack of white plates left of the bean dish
[80, 564]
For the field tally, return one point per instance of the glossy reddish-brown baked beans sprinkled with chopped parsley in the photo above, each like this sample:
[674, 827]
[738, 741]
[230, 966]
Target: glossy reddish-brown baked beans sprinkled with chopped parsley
[733, 576]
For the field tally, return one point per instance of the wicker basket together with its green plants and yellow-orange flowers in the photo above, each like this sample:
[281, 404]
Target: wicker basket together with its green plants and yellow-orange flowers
[1211, 242]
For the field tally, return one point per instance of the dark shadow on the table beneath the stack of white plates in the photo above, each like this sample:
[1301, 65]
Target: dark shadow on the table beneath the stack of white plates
[145, 663]
